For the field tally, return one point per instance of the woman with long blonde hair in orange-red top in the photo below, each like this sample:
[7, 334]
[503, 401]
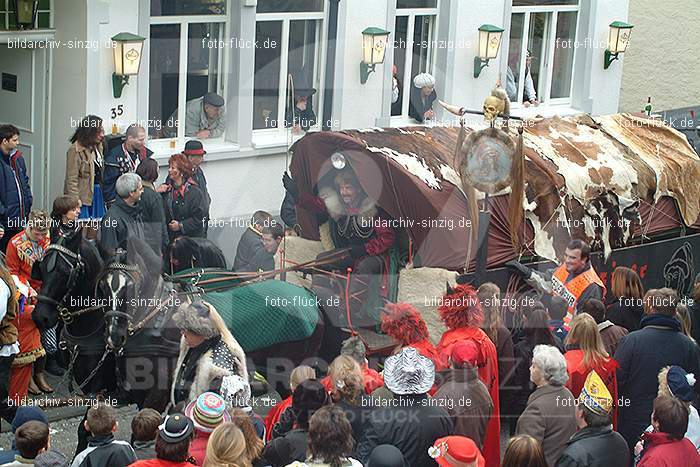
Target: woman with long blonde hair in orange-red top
[585, 352]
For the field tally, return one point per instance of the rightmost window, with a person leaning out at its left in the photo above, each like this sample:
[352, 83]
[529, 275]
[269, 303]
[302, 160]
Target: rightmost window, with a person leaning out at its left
[541, 51]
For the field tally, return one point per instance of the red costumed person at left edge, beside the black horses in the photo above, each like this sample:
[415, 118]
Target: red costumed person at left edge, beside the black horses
[22, 252]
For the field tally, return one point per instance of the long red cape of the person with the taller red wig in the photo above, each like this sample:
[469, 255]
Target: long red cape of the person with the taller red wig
[488, 374]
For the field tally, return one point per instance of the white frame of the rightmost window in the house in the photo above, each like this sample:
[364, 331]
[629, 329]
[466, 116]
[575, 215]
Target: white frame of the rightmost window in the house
[554, 11]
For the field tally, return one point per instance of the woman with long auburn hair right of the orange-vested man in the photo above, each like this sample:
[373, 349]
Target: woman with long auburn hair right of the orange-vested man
[626, 308]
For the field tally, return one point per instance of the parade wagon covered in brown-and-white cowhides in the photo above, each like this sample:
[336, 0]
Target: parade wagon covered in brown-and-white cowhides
[626, 184]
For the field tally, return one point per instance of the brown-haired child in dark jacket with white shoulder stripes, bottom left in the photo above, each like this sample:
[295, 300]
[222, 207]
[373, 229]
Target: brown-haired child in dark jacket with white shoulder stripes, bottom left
[103, 449]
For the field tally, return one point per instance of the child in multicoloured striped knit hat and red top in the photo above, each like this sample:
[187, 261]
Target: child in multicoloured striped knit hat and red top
[207, 412]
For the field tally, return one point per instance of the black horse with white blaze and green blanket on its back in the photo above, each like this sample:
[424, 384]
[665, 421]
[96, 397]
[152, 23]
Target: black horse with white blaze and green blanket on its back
[275, 361]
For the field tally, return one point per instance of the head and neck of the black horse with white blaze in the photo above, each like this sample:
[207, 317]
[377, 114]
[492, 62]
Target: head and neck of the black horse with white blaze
[129, 287]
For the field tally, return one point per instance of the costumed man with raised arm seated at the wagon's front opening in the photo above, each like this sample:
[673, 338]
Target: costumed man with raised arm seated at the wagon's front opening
[360, 229]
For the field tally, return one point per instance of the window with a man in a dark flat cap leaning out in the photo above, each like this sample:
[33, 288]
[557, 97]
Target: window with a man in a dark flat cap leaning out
[186, 62]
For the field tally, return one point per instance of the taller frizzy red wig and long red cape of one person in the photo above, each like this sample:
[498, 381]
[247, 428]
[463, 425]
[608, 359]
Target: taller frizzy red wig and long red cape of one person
[462, 314]
